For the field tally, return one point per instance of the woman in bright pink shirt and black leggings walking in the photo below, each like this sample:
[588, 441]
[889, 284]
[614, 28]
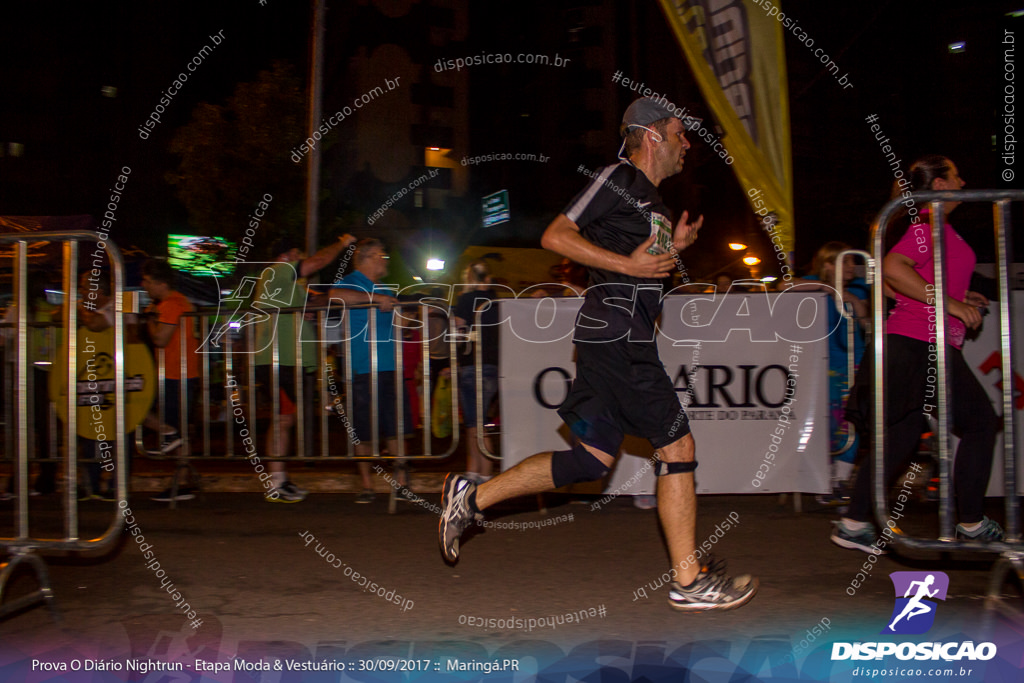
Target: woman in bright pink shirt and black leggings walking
[911, 382]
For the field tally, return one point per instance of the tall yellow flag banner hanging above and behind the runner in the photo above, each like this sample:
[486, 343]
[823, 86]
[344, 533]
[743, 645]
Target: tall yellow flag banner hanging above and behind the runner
[737, 55]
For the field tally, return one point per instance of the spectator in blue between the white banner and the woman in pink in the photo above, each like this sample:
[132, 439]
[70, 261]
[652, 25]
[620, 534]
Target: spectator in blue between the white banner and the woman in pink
[856, 296]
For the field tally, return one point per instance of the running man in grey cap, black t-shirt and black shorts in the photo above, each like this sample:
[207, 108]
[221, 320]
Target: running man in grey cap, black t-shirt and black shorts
[621, 387]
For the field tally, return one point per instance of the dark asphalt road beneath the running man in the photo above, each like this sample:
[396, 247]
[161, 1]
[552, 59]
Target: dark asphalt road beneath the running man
[261, 590]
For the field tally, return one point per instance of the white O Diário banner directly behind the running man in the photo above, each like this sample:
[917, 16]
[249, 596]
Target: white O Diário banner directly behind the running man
[741, 351]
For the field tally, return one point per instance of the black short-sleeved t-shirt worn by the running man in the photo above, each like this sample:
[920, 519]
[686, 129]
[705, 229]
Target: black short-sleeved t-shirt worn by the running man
[619, 210]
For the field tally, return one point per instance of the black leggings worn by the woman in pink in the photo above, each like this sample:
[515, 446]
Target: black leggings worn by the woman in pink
[909, 395]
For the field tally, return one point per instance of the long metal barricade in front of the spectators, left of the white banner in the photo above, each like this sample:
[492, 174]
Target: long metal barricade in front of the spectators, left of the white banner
[237, 350]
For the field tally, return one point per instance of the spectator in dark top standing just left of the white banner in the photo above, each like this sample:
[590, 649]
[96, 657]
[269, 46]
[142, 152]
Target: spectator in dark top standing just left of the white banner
[477, 317]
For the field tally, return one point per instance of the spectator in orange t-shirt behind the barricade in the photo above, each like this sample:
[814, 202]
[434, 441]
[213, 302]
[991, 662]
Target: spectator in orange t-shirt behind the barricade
[163, 326]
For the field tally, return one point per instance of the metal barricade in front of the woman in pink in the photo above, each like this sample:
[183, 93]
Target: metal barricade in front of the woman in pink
[1012, 550]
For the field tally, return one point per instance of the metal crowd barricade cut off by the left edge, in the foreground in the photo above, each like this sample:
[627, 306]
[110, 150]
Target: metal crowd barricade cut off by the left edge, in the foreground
[23, 547]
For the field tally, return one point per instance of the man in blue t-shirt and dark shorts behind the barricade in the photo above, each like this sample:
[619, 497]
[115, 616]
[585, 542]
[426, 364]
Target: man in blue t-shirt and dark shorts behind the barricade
[363, 287]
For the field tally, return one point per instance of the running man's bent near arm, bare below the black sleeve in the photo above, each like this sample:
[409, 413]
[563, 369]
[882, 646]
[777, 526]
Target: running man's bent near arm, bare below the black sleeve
[563, 237]
